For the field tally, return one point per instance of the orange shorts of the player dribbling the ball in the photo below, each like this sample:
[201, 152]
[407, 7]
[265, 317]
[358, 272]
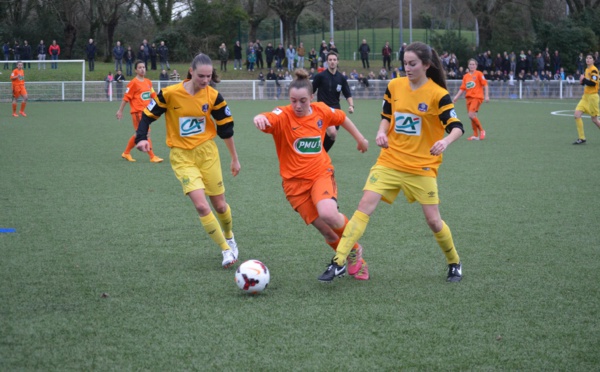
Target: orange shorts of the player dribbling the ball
[304, 195]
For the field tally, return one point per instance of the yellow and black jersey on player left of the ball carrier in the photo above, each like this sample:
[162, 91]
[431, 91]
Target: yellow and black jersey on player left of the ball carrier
[189, 119]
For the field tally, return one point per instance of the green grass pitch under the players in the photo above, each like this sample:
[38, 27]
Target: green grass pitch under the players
[110, 269]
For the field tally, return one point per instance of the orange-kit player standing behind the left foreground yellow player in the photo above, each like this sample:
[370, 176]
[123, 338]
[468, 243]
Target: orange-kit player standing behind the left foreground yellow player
[139, 92]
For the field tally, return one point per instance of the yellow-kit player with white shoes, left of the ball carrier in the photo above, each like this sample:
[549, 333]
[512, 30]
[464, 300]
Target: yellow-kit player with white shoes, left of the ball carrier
[189, 108]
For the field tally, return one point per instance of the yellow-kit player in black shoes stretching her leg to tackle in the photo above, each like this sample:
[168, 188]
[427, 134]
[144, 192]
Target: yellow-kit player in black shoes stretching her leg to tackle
[417, 110]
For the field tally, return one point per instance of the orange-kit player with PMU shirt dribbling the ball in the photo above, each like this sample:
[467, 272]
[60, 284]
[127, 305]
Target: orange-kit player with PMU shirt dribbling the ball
[309, 184]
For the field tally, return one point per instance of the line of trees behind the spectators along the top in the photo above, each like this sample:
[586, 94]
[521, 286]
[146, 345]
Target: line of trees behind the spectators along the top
[189, 26]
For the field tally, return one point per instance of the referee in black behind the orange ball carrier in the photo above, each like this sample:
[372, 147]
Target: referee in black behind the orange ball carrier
[328, 85]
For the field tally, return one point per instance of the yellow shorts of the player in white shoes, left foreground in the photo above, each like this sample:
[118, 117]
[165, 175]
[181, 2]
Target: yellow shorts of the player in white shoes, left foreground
[199, 168]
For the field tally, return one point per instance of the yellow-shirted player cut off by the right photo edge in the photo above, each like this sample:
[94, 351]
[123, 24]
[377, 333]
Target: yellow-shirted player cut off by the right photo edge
[589, 100]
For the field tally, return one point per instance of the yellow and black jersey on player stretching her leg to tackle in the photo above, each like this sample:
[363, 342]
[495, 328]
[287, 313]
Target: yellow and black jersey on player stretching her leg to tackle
[418, 119]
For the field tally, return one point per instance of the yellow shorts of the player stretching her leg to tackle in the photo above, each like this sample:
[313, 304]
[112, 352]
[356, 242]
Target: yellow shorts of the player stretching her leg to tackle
[389, 182]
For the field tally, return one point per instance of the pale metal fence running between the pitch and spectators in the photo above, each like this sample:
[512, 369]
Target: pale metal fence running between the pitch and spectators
[98, 91]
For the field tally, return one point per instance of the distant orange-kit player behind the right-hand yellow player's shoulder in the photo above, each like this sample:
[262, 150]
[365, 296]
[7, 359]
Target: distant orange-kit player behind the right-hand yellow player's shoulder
[477, 90]
